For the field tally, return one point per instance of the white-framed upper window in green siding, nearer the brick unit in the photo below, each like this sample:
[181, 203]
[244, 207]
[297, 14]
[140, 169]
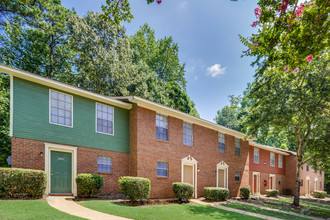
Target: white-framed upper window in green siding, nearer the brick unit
[104, 119]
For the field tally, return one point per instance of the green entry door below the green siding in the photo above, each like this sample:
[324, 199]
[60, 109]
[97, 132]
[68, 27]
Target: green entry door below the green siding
[61, 172]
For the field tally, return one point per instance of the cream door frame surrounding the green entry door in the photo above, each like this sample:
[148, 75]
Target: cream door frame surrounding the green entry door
[61, 148]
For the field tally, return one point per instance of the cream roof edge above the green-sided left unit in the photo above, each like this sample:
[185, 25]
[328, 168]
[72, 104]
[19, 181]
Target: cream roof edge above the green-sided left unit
[32, 77]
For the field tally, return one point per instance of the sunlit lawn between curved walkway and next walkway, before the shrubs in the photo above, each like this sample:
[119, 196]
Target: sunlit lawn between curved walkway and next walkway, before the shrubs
[163, 212]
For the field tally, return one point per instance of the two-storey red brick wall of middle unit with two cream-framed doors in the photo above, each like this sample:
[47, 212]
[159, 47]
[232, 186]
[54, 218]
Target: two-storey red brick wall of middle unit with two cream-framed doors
[149, 150]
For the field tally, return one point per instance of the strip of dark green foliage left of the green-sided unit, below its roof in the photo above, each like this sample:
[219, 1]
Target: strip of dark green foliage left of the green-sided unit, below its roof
[5, 141]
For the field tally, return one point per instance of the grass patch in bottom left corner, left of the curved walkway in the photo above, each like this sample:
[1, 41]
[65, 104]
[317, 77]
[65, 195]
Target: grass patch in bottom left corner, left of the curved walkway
[30, 209]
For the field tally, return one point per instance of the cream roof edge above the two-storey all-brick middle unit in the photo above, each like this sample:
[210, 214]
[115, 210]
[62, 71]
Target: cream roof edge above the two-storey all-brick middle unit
[164, 110]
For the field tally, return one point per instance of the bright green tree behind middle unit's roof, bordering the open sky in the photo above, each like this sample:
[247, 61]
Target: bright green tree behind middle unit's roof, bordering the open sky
[161, 57]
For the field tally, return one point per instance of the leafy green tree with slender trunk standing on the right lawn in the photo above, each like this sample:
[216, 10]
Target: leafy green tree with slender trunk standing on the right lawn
[299, 104]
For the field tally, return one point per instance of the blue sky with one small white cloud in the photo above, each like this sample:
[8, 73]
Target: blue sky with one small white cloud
[207, 34]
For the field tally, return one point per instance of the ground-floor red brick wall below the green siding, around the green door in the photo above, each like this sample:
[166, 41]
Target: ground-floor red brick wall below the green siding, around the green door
[26, 154]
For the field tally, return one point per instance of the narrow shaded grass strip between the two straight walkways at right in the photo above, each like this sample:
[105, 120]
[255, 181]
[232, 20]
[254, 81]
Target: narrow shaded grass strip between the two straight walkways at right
[261, 211]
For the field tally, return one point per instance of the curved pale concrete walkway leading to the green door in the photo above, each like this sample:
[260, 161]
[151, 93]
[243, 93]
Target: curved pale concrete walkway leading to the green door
[66, 204]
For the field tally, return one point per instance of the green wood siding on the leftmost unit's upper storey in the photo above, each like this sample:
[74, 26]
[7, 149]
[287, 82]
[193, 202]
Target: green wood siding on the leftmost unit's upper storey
[31, 120]
